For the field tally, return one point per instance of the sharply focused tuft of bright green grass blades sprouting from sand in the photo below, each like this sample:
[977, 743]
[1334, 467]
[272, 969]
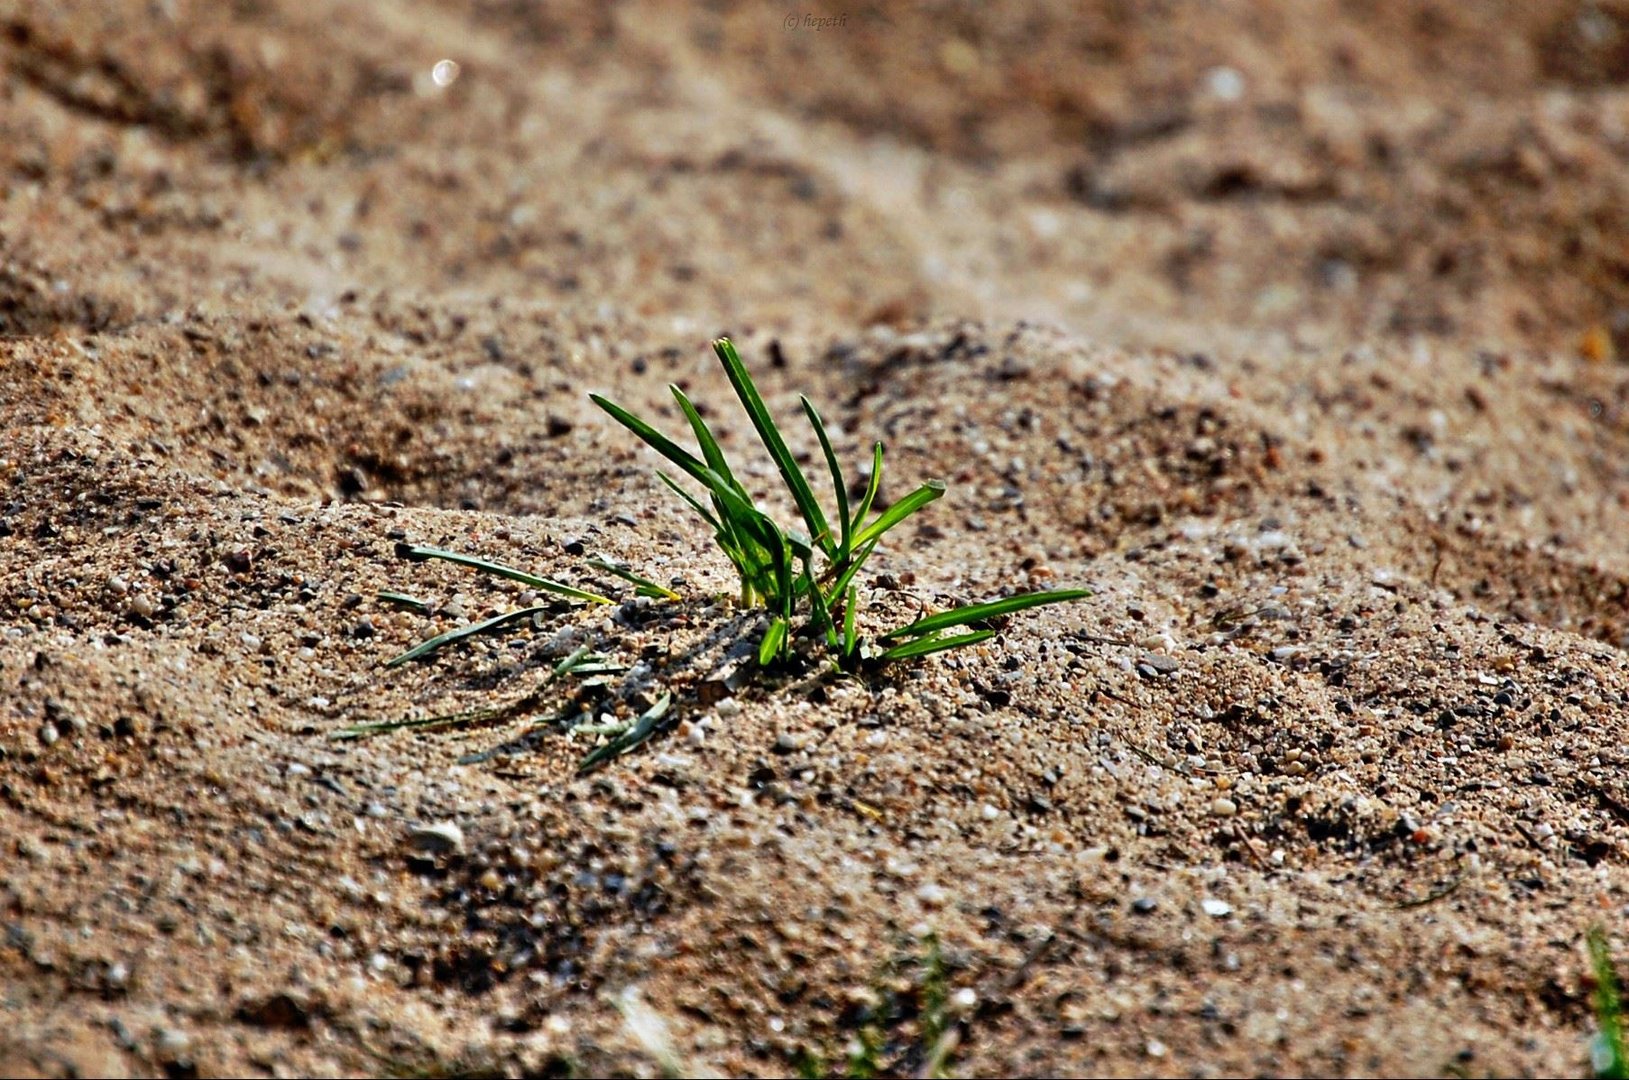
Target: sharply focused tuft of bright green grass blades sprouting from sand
[807, 577]
